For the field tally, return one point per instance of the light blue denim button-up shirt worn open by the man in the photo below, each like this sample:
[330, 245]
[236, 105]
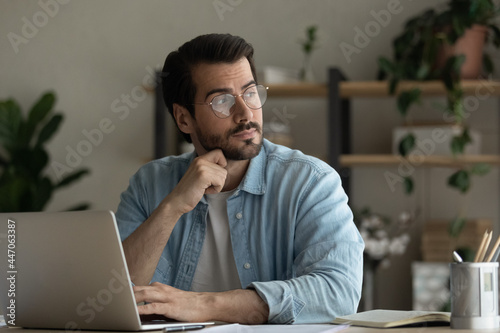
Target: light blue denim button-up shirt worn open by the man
[292, 233]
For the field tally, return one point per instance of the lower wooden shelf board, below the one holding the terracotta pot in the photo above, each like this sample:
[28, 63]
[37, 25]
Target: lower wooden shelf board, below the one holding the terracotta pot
[435, 161]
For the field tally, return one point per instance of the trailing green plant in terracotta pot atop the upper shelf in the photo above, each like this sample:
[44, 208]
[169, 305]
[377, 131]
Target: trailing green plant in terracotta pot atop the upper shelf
[445, 45]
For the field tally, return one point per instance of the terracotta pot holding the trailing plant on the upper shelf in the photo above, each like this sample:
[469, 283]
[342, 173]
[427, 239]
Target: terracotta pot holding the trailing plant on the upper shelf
[471, 44]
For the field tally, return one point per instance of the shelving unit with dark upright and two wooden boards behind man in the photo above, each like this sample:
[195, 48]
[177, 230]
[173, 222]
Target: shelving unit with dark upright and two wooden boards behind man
[339, 92]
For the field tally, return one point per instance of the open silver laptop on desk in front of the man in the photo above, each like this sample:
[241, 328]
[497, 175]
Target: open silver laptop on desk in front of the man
[67, 270]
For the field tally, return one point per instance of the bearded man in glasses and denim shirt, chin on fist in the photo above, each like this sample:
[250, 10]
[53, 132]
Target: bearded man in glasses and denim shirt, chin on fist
[241, 230]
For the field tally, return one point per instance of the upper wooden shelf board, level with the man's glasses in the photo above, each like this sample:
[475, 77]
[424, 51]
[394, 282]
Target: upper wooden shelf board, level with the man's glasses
[481, 88]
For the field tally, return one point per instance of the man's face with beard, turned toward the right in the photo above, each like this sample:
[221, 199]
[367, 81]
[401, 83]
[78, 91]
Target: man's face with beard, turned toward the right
[240, 135]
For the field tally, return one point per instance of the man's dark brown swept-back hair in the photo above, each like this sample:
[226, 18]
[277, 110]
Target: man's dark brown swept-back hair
[177, 80]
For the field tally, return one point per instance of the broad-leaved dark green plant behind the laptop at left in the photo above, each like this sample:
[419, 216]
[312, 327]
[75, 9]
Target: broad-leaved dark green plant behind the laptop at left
[23, 157]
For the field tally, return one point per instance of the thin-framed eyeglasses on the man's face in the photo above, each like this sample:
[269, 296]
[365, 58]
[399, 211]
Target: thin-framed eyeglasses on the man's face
[222, 105]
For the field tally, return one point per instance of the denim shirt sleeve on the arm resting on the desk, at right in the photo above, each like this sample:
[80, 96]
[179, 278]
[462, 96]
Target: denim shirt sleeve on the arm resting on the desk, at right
[328, 264]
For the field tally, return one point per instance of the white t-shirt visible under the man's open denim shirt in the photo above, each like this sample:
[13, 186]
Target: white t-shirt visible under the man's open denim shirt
[216, 270]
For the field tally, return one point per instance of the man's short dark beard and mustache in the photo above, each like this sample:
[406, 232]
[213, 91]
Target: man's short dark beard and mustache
[250, 149]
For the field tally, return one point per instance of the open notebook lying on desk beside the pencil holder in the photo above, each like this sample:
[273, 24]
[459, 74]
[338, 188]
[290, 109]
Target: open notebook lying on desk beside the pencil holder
[392, 318]
